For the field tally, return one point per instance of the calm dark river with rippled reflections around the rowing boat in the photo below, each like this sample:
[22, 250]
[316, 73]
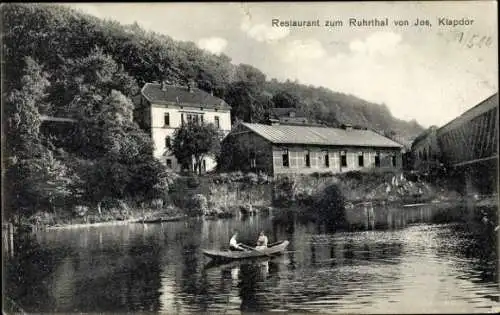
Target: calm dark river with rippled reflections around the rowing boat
[413, 266]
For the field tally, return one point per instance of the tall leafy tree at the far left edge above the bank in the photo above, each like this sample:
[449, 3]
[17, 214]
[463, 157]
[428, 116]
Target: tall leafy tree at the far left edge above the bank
[35, 177]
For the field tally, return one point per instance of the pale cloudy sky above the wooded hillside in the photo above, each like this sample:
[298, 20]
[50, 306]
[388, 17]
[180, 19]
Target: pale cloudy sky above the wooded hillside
[428, 73]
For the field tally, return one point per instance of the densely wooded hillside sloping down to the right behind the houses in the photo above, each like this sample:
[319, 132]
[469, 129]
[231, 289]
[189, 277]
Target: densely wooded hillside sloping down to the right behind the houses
[54, 35]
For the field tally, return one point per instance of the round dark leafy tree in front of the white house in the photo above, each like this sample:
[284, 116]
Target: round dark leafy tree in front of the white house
[193, 142]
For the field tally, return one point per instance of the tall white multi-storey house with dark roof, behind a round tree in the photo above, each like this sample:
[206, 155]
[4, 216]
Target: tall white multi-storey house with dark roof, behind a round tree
[164, 108]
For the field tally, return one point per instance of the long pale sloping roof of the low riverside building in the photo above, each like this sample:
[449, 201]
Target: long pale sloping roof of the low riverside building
[293, 134]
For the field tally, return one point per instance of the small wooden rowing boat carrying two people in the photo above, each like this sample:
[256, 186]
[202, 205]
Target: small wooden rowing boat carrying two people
[274, 250]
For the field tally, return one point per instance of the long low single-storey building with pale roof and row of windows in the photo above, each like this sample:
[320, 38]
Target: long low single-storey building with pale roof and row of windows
[294, 149]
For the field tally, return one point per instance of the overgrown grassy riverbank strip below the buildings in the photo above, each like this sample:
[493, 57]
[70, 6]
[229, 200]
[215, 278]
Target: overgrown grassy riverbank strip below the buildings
[225, 195]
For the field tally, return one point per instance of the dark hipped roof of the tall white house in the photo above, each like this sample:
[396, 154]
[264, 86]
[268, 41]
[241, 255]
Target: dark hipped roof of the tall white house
[181, 95]
